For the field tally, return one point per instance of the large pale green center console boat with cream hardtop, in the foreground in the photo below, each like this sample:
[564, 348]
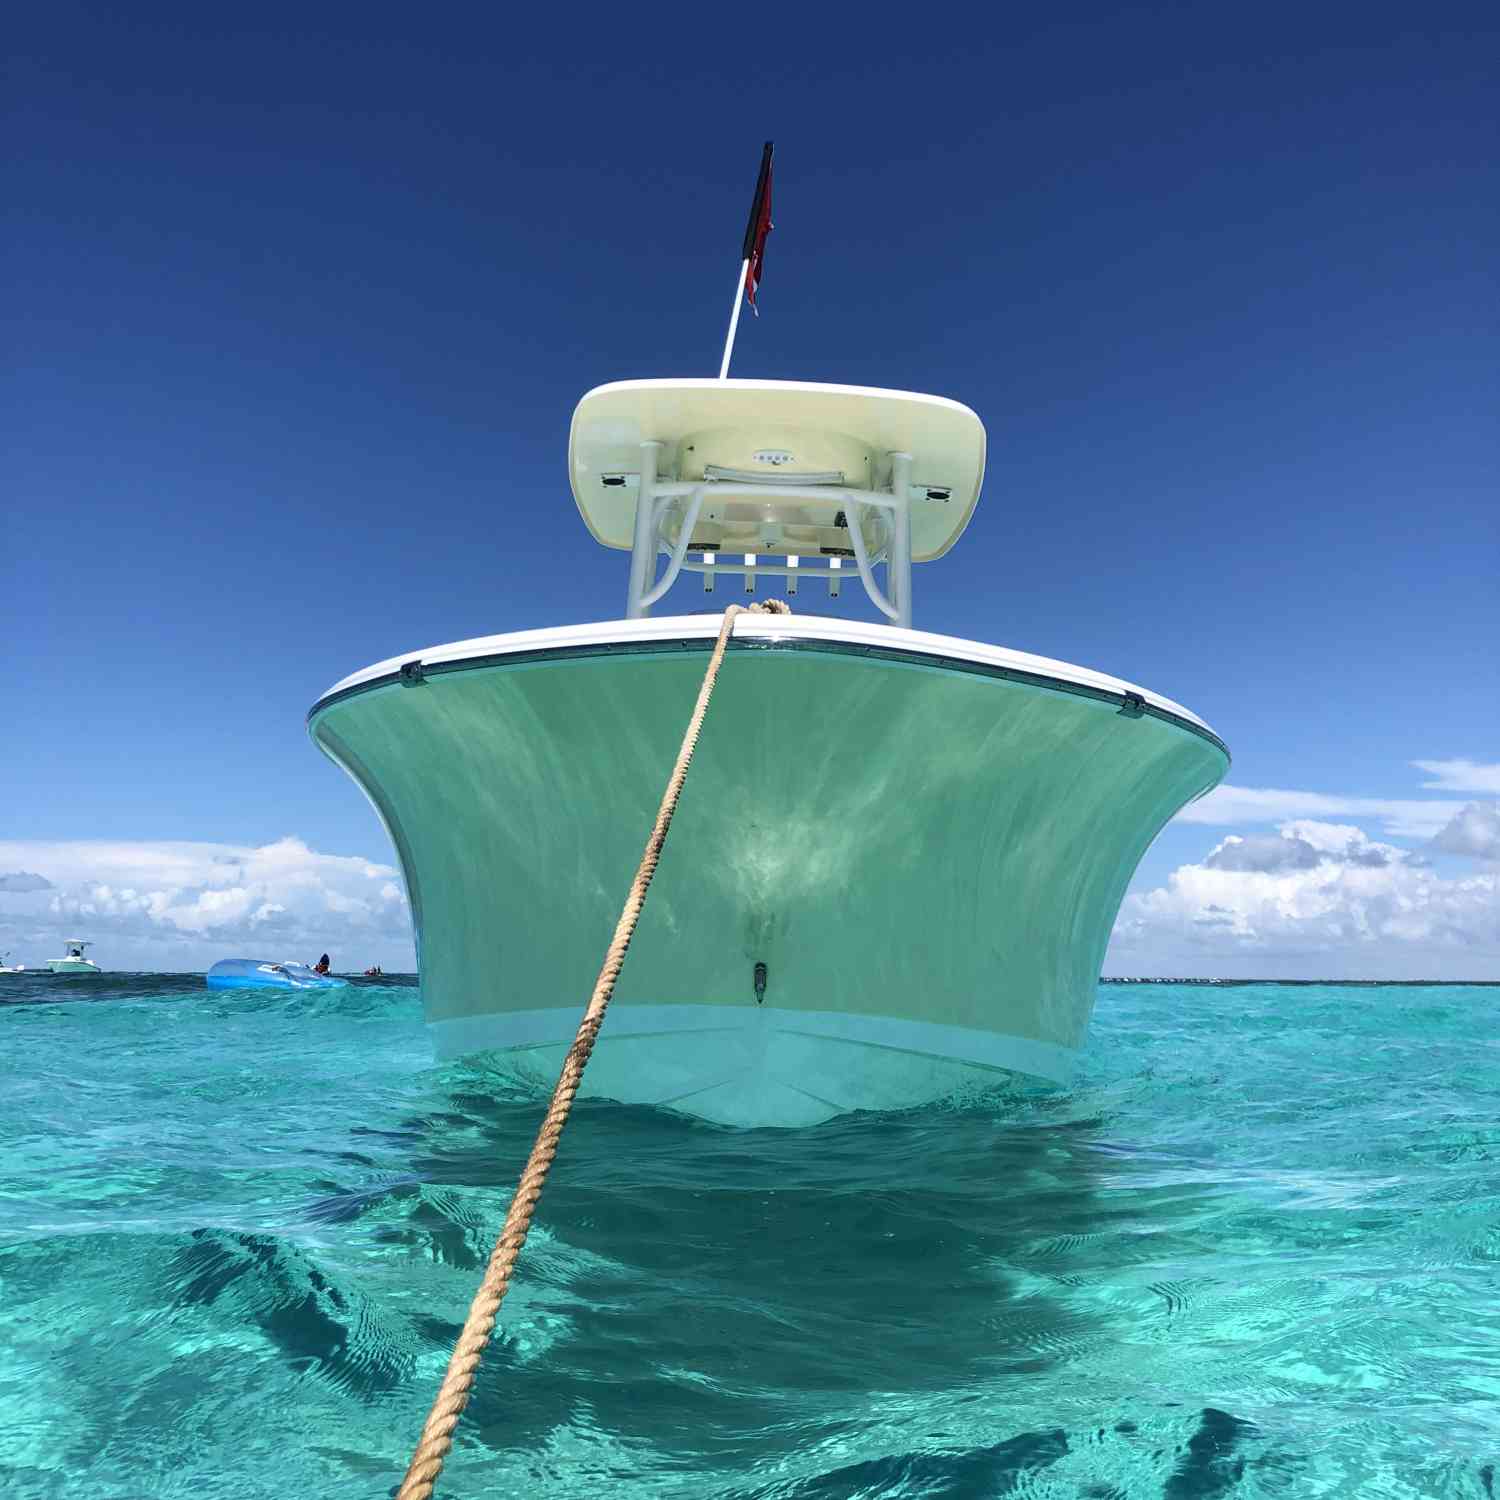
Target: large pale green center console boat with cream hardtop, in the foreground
[899, 856]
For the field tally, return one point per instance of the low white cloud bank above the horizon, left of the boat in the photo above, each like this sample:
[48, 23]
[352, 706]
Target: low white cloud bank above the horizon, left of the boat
[178, 905]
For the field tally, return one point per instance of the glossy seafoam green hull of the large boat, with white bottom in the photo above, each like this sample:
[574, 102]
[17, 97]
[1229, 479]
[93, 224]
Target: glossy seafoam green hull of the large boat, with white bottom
[919, 856]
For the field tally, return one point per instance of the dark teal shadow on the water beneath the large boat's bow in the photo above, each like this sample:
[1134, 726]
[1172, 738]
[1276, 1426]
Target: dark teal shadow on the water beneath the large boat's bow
[727, 1300]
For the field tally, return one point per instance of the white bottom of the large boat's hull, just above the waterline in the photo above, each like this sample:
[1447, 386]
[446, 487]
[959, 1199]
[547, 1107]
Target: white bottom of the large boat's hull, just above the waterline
[758, 1064]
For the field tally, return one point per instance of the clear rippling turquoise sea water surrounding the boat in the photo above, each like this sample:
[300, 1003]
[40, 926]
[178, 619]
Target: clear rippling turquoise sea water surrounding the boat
[1253, 1252]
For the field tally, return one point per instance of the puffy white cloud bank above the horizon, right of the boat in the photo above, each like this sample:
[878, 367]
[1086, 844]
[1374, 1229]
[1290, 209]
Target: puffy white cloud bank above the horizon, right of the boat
[1315, 901]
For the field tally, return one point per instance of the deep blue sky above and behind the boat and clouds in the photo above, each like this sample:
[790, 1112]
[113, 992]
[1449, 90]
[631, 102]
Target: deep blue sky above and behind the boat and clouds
[304, 302]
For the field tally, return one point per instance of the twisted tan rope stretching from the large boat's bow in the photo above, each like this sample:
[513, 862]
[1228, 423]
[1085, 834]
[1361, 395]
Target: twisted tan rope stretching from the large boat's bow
[458, 1384]
